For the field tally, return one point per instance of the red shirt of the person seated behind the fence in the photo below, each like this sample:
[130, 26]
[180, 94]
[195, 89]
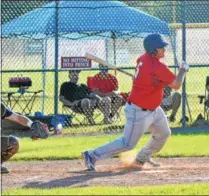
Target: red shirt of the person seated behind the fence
[106, 84]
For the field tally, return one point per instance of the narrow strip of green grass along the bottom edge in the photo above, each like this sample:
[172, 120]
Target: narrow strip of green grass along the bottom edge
[183, 189]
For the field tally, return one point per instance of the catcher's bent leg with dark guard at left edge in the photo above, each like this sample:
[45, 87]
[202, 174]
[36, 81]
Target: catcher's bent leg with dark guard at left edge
[9, 147]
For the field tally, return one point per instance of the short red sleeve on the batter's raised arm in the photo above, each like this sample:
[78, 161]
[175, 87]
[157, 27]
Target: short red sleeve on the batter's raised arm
[164, 74]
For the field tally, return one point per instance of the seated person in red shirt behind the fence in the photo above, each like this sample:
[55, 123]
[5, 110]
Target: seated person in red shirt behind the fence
[105, 85]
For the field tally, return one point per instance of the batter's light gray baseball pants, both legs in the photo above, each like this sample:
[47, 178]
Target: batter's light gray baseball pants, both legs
[137, 123]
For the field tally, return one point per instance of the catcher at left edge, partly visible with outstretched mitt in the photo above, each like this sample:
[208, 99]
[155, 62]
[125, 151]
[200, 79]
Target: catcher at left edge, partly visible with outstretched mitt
[10, 144]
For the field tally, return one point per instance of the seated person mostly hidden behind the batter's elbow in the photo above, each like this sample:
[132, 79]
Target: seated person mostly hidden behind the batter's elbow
[171, 101]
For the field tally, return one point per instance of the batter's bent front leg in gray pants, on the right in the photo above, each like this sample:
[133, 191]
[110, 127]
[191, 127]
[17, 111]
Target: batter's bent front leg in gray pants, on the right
[160, 133]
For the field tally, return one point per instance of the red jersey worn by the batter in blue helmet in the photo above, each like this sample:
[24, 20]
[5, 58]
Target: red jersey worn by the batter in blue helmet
[150, 78]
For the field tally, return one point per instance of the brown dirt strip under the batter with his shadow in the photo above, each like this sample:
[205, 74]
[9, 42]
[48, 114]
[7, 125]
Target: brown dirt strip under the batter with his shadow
[51, 174]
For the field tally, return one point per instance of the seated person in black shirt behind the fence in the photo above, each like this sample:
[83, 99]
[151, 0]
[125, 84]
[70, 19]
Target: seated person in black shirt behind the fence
[77, 96]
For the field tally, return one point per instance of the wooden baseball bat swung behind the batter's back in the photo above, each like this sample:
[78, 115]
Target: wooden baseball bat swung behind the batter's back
[105, 63]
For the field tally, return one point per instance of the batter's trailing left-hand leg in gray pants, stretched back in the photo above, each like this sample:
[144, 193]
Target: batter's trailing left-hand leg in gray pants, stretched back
[137, 121]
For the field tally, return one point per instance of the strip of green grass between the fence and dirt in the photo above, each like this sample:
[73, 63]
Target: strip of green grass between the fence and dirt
[66, 148]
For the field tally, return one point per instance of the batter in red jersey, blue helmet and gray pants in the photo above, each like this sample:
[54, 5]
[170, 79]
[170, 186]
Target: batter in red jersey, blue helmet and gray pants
[142, 110]
